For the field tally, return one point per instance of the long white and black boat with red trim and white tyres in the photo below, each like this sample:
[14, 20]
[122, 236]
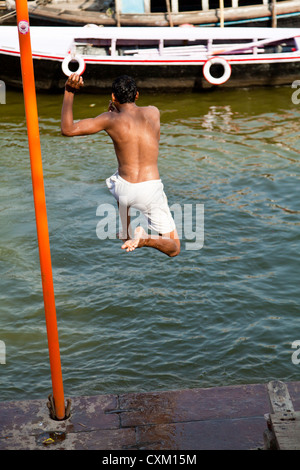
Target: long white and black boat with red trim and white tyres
[160, 59]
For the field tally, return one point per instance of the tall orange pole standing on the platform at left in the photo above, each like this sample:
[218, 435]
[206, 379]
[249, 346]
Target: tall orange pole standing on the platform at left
[40, 203]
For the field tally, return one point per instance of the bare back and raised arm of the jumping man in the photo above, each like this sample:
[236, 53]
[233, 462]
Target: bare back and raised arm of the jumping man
[135, 132]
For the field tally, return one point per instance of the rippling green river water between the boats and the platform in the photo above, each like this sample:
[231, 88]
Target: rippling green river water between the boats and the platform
[222, 314]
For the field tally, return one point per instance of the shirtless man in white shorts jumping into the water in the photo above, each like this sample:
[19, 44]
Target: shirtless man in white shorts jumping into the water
[135, 132]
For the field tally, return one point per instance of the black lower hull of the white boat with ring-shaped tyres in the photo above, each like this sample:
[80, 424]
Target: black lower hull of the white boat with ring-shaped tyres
[150, 78]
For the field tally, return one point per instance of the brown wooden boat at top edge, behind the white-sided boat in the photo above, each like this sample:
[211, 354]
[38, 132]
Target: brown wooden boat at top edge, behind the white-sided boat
[261, 13]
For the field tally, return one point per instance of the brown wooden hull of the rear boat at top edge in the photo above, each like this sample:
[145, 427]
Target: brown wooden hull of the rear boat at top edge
[287, 13]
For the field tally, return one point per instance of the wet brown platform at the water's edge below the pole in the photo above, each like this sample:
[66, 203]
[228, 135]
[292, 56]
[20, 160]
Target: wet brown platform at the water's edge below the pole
[230, 418]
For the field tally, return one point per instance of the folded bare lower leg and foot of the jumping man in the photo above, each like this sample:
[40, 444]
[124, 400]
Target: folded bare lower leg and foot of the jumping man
[167, 243]
